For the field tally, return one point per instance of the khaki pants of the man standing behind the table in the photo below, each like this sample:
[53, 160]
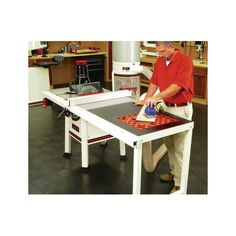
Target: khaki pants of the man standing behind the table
[175, 143]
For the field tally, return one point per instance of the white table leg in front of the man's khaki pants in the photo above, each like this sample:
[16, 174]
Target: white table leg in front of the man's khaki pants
[186, 160]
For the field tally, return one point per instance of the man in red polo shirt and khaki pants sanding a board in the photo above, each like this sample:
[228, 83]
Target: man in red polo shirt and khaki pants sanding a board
[173, 74]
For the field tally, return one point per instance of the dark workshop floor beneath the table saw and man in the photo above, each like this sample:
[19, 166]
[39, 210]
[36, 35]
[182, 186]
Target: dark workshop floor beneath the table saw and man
[50, 173]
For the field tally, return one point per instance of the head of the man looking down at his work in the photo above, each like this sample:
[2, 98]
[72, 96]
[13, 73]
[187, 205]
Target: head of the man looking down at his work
[165, 49]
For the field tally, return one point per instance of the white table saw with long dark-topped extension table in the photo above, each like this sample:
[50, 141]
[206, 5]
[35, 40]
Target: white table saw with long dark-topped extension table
[98, 121]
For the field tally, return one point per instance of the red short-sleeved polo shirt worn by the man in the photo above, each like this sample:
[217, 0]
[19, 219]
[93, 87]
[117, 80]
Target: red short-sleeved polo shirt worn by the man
[179, 72]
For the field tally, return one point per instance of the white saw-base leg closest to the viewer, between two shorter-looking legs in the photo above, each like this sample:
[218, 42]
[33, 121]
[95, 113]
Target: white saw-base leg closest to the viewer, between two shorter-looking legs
[84, 143]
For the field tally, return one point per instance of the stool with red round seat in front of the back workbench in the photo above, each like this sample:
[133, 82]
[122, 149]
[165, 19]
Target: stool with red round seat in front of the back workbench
[81, 72]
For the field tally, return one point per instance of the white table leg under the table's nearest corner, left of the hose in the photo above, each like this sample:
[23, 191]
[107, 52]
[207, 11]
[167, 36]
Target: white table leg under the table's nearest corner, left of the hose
[137, 168]
